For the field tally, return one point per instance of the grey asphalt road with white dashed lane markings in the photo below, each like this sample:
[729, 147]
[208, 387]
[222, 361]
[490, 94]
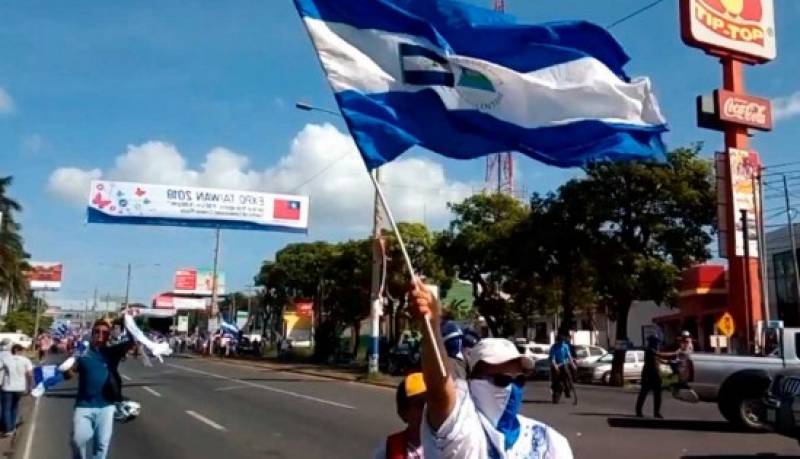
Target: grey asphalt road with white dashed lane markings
[206, 409]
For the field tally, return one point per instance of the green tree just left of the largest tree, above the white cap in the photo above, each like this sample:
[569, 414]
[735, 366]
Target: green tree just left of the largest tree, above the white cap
[477, 247]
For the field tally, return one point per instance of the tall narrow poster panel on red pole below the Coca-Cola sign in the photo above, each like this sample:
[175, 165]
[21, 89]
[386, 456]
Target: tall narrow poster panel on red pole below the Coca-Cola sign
[744, 167]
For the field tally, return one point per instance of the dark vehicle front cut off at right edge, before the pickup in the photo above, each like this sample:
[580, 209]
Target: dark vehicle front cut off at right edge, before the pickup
[781, 407]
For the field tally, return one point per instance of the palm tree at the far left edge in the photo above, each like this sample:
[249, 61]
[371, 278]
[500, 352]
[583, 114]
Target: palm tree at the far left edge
[13, 258]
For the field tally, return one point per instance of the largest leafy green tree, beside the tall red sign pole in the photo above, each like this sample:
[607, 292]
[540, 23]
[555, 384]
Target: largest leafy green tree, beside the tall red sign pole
[649, 222]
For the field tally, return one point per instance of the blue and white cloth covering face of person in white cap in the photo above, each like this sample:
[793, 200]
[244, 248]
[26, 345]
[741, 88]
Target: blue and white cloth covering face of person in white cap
[500, 405]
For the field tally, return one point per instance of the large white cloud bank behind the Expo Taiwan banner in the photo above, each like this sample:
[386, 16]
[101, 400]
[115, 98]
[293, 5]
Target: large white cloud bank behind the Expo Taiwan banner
[322, 162]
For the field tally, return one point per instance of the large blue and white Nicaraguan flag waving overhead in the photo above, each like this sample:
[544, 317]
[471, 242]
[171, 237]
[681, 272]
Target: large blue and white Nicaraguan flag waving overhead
[465, 81]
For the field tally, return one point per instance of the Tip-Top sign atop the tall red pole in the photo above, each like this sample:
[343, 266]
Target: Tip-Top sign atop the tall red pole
[742, 28]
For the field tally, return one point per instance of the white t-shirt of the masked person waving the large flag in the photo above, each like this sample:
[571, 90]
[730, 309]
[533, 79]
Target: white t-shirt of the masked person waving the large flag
[467, 434]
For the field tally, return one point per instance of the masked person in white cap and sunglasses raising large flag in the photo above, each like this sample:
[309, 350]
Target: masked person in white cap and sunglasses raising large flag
[479, 418]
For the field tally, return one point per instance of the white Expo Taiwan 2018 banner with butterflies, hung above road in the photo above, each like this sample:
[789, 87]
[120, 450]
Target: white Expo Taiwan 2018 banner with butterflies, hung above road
[145, 204]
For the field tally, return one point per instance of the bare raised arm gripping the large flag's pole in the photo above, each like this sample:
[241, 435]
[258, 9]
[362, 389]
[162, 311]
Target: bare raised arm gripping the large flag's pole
[441, 389]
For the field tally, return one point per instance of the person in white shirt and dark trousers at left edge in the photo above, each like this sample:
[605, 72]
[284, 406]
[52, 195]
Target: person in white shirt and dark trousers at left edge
[17, 381]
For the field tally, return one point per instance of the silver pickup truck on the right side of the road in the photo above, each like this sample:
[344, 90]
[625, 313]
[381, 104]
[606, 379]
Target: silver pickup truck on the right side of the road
[739, 383]
